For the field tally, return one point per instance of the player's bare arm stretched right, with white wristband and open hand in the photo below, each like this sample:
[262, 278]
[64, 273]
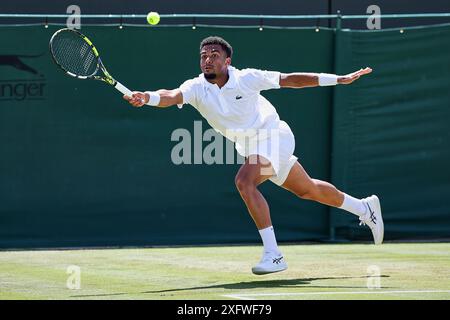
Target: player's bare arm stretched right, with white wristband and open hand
[303, 80]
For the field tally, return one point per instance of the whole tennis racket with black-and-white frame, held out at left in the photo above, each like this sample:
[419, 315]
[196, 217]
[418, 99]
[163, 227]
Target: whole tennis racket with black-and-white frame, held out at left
[76, 55]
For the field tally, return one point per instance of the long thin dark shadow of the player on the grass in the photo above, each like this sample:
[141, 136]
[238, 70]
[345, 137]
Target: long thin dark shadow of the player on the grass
[258, 284]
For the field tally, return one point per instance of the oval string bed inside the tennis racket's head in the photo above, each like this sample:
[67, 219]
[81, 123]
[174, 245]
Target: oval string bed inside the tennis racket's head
[74, 54]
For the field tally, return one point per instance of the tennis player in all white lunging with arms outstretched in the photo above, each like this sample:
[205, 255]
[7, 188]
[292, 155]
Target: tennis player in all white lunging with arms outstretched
[230, 100]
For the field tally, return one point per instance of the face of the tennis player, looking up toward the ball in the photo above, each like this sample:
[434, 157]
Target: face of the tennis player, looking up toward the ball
[213, 61]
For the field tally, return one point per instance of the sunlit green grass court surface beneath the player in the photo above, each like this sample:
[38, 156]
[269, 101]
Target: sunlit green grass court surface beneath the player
[339, 271]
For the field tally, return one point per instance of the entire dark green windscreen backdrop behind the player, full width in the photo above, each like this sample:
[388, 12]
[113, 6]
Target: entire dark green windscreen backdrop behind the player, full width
[79, 167]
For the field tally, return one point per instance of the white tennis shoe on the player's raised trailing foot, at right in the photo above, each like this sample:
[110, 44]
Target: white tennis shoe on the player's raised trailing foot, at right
[373, 219]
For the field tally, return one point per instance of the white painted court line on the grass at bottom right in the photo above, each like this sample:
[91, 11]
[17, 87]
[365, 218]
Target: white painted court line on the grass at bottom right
[250, 296]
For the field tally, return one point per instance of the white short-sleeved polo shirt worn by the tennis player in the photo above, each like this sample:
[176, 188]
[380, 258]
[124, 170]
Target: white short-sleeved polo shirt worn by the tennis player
[236, 108]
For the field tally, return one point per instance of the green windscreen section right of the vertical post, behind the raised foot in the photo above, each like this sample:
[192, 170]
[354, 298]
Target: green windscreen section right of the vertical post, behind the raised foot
[391, 130]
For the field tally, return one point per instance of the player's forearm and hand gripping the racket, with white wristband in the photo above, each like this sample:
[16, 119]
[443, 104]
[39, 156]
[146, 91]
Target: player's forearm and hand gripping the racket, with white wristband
[167, 98]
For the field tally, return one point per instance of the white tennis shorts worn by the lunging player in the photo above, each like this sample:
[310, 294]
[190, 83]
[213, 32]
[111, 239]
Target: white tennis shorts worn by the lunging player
[277, 145]
